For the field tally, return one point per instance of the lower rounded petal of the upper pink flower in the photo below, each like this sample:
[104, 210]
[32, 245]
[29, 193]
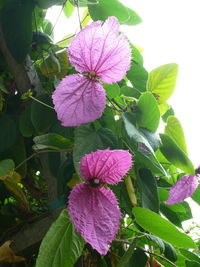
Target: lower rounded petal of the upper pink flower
[78, 100]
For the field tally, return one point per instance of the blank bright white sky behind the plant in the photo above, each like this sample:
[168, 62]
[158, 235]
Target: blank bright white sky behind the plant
[169, 33]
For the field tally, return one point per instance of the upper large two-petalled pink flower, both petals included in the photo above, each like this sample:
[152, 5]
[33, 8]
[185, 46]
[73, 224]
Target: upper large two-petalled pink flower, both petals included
[98, 52]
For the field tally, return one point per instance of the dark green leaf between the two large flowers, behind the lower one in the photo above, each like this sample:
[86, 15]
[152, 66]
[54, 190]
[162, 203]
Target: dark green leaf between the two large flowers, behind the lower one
[88, 139]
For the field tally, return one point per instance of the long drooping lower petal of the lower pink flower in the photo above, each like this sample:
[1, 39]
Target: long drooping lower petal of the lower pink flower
[95, 214]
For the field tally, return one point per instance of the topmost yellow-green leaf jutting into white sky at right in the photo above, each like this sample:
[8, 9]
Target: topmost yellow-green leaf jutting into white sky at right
[162, 81]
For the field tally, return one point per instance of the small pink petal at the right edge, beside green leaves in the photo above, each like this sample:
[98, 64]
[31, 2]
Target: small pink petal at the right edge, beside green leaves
[182, 189]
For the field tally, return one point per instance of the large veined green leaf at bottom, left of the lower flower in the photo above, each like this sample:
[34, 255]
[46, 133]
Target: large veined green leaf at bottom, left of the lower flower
[61, 245]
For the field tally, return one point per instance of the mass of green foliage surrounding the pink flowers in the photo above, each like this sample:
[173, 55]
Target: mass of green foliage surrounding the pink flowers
[40, 159]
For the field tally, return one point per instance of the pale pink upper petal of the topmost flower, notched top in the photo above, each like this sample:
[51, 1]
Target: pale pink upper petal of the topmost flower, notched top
[99, 48]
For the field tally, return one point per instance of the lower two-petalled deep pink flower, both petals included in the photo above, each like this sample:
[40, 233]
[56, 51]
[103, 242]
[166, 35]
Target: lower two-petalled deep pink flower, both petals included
[93, 208]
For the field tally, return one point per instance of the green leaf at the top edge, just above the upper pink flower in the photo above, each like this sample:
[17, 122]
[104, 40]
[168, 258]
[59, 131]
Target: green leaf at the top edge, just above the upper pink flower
[104, 9]
